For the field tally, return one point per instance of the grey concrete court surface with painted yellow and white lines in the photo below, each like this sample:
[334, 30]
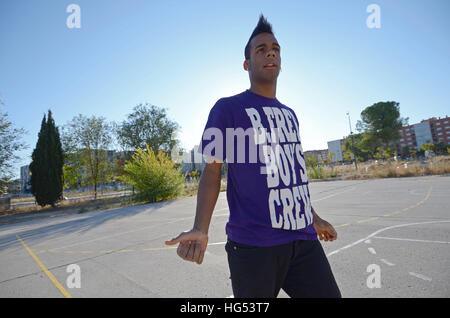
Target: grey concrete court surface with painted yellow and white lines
[393, 241]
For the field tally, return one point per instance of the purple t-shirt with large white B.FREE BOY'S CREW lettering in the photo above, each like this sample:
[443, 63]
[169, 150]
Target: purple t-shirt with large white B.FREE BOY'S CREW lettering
[267, 185]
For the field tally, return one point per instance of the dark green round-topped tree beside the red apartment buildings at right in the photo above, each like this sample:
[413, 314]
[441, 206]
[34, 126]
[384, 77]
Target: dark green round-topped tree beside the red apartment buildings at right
[381, 123]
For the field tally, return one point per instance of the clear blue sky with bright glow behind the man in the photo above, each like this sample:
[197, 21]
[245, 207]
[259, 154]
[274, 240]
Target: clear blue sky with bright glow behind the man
[185, 55]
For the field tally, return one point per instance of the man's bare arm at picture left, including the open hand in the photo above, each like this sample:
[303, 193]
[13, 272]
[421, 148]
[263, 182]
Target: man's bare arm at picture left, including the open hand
[193, 243]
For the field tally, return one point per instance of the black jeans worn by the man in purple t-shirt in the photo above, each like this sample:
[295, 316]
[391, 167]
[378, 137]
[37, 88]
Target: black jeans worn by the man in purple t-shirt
[300, 268]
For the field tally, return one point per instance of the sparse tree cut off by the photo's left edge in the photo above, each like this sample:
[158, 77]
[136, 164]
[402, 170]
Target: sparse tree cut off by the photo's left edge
[10, 143]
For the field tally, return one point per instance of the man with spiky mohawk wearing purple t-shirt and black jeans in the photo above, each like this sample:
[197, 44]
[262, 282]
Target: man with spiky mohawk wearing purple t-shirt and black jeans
[272, 229]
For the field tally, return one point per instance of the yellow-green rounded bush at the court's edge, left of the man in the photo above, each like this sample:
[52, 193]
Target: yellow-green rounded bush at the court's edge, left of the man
[155, 177]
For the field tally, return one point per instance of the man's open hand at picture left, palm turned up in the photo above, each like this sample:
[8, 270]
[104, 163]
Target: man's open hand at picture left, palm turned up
[192, 246]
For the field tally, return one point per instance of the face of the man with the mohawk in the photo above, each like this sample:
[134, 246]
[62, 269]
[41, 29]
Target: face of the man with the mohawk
[265, 61]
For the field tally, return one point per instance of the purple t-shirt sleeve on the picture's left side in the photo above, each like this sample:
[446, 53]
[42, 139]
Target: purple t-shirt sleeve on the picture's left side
[212, 144]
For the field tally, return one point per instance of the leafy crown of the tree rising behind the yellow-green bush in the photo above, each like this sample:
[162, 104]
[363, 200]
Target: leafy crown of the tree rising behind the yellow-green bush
[147, 125]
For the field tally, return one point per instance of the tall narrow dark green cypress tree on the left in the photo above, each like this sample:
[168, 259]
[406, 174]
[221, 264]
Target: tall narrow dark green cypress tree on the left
[47, 164]
